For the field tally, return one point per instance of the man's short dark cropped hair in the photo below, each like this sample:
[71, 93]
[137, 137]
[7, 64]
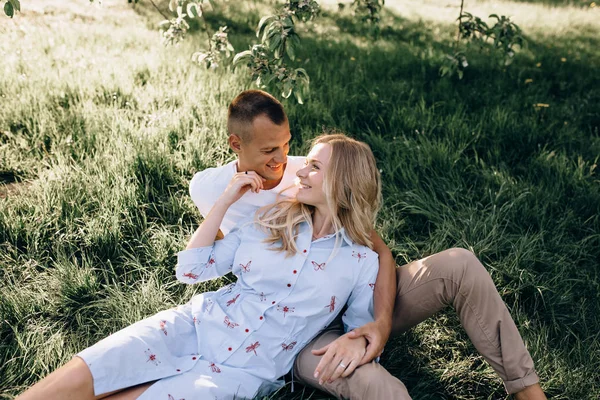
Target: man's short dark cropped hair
[247, 106]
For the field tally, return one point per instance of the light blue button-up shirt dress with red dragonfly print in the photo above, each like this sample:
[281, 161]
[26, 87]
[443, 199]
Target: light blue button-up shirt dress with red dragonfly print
[236, 342]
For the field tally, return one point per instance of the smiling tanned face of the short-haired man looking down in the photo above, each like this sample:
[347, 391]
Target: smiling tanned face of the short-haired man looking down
[266, 152]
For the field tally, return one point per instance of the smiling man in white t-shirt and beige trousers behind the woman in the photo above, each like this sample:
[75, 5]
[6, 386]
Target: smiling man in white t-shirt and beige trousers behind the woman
[259, 134]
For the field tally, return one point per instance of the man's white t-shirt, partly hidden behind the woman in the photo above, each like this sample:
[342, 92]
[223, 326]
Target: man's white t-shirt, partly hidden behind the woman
[208, 185]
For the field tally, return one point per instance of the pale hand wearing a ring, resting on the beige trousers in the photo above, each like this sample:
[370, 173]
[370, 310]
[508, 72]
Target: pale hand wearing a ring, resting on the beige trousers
[340, 358]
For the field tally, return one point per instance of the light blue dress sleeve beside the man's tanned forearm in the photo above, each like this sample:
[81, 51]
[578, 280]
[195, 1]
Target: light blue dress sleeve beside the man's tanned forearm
[360, 303]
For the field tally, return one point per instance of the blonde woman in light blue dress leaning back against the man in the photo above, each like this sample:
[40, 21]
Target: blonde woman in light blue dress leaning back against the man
[297, 264]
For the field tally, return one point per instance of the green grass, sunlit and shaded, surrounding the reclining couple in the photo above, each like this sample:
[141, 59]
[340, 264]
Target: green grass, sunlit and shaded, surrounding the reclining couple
[101, 129]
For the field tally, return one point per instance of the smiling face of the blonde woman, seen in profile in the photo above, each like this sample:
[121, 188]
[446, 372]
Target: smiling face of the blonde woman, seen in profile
[312, 175]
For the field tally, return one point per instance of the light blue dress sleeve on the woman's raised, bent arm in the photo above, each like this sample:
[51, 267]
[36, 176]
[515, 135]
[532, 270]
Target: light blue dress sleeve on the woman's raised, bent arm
[204, 263]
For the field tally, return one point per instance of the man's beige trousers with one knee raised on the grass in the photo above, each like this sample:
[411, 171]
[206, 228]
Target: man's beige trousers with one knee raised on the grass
[453, 277]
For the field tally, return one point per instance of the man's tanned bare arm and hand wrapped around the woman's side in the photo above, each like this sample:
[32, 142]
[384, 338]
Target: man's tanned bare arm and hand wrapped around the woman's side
[378, 332]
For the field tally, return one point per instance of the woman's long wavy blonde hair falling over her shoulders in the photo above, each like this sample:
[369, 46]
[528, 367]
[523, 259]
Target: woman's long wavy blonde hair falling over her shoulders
[352, 187]
